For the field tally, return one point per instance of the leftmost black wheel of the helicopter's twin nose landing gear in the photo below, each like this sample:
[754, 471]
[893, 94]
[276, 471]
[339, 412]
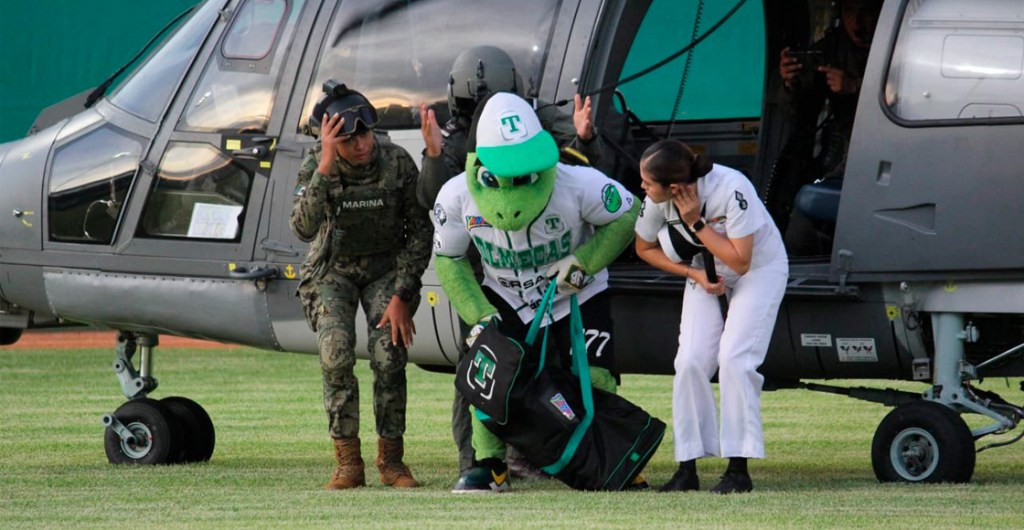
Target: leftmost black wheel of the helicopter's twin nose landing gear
[155, 436]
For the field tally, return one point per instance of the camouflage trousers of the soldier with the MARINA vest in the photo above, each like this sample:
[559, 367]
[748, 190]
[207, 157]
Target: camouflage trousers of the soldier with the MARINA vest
[370, 284]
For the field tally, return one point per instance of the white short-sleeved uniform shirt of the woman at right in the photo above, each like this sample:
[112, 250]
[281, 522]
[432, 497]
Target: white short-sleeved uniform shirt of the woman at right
[732, 209]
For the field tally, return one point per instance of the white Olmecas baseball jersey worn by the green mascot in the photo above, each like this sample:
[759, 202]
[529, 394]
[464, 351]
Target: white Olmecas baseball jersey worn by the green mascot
[516, 262]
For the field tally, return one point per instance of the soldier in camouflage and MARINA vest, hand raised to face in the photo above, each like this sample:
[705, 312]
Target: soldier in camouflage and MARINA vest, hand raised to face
[356, 202]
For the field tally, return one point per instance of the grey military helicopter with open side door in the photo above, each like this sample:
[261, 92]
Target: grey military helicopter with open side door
[160, 207]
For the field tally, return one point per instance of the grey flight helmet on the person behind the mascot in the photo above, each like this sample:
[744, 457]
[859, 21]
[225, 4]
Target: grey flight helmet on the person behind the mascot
[479, 72]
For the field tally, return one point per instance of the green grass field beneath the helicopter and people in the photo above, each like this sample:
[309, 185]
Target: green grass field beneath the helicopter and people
[274, 455]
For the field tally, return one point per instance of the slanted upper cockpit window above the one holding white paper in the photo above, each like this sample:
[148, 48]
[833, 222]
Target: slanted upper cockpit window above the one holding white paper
[238, 89]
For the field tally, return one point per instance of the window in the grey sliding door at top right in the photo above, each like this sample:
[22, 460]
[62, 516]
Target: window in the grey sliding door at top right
[956, 64]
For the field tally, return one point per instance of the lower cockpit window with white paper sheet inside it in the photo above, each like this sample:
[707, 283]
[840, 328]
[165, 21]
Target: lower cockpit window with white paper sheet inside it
[200, 193]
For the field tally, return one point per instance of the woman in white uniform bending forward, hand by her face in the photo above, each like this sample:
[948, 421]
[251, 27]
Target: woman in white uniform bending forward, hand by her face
[716, 208]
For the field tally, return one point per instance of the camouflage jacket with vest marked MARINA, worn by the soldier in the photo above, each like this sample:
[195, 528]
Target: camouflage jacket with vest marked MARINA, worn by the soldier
[361, 212]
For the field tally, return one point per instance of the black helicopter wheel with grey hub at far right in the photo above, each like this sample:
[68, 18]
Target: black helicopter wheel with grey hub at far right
[923, 441]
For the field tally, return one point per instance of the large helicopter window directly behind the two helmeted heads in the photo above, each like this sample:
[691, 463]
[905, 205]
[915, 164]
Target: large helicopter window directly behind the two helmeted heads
[393, 54]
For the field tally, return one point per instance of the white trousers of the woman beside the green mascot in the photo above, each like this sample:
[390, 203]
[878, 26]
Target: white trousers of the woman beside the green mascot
[736, 349]
